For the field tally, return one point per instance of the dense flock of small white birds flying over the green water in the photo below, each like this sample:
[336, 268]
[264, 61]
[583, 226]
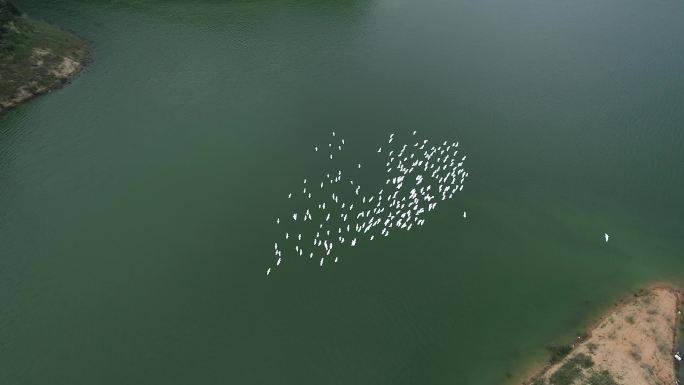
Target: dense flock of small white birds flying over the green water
[419, 176]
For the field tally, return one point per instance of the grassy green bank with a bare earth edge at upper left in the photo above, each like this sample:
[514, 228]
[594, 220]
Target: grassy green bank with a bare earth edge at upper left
[34, 56]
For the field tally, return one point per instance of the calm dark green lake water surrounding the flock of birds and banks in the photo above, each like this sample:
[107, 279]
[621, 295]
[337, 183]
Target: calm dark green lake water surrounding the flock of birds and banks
[137, 204]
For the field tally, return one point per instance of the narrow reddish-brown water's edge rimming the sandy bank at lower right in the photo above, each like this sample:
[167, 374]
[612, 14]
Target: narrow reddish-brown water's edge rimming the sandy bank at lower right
[538, 371]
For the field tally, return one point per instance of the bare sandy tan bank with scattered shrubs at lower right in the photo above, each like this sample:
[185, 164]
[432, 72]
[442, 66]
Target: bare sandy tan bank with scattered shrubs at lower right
[634, 344]
